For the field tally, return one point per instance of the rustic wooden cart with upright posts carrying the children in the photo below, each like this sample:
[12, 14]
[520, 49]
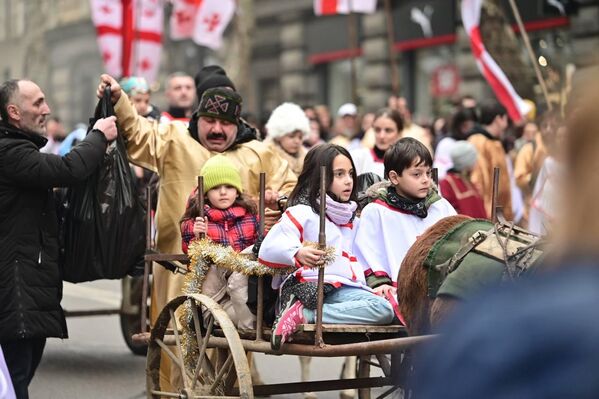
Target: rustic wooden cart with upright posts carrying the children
[225, 373]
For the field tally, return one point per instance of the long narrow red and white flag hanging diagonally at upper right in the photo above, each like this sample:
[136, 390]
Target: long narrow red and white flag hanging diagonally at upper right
[505, 92]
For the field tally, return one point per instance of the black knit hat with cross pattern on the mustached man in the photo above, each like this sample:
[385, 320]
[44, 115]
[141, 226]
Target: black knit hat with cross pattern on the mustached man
[220, 103]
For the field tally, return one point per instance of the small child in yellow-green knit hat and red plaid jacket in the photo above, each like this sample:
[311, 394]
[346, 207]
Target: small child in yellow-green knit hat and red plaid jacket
[230, 219]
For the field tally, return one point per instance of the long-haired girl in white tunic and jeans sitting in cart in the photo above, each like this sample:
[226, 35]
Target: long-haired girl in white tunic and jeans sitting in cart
[348, 299]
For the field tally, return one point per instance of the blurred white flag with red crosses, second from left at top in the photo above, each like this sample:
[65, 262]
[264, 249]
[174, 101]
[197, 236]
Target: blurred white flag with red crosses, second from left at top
[204, 21]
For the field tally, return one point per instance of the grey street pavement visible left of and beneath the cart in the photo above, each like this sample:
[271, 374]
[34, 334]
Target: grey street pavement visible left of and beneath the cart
[95, 363]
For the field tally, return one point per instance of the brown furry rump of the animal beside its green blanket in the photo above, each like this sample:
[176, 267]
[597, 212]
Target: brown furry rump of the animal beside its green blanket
[412, 281]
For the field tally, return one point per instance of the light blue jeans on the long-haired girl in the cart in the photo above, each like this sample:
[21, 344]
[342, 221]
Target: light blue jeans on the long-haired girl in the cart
[352, 305]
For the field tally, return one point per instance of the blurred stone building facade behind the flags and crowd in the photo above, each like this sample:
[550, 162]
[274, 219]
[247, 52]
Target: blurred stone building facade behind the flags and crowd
[296, 56]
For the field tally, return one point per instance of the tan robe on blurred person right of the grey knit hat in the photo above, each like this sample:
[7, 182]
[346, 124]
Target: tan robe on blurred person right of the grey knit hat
[491, 155]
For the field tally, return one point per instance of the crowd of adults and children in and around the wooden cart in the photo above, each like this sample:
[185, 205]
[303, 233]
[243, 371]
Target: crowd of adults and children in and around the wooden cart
[202, 132]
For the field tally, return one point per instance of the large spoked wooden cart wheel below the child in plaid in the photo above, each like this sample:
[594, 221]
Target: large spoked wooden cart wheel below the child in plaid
[212, 375]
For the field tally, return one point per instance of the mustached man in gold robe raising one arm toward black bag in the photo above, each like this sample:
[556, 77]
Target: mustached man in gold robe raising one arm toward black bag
[177, 153]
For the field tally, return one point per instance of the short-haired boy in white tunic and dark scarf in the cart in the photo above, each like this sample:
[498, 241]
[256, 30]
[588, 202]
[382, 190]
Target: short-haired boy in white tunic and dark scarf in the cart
[401, 211]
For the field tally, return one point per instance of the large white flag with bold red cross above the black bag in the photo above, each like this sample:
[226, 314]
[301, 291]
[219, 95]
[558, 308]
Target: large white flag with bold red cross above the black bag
[129, 36]
